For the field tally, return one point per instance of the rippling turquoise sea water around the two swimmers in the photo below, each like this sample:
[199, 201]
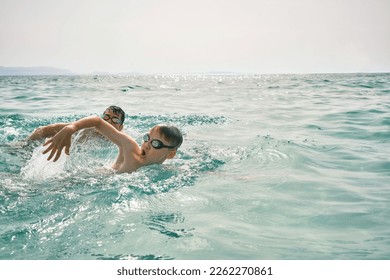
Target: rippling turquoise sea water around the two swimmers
[272, 167]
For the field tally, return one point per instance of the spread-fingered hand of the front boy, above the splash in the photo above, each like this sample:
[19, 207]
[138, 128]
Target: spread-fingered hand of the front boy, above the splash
[61, 140]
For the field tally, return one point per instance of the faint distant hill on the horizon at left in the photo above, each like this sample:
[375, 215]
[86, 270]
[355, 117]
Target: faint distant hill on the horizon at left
[32, 71]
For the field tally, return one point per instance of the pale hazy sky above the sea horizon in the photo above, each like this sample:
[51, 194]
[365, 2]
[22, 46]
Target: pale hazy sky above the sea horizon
[255, 36]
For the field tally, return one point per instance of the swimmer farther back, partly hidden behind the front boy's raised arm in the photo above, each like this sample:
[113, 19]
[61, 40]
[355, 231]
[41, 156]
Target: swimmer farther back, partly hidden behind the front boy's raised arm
[114, 115]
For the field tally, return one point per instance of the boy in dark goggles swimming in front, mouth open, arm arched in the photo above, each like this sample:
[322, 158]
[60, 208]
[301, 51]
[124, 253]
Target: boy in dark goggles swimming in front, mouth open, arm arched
[160, 143]
